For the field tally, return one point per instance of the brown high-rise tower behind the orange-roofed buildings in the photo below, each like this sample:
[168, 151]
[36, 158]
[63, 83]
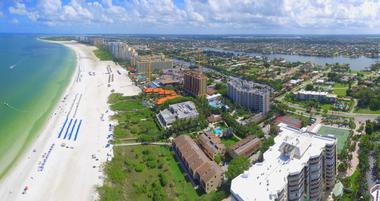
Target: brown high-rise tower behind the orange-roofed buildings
[195, 82]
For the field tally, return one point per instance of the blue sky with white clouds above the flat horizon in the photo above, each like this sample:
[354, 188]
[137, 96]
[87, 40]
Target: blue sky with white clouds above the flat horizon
[190, 16]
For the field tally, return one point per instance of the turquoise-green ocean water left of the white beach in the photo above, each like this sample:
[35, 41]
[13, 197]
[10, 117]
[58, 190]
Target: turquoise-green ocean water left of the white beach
[33, 76]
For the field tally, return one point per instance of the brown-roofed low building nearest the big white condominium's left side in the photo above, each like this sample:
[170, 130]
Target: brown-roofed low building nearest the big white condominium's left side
[245, 147]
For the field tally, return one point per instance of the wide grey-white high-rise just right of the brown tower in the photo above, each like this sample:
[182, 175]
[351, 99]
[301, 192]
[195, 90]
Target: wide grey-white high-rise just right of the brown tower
[248, 95]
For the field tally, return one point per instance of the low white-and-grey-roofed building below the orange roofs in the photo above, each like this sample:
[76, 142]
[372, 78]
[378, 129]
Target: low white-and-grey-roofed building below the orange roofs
[185, 110]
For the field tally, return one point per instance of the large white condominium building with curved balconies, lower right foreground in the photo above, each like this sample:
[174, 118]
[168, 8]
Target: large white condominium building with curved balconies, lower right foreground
[299, 166]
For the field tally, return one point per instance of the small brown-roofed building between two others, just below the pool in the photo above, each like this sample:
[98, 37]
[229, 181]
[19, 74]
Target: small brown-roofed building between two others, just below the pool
[211, 145]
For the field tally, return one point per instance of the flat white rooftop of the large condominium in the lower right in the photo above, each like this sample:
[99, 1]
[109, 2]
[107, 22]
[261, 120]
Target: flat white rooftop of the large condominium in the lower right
[263, 181]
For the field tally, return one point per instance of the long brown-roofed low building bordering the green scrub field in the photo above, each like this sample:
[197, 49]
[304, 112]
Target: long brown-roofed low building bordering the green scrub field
[200, 168]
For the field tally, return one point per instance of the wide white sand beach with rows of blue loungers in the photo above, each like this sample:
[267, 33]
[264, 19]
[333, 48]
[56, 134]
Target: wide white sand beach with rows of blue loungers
[64, 163]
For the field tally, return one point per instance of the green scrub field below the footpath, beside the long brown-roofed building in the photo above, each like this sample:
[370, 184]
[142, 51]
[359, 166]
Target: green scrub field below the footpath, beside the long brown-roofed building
[145, 173]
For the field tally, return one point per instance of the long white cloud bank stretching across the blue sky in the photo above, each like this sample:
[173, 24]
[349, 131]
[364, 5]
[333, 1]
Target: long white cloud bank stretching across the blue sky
[226, 14]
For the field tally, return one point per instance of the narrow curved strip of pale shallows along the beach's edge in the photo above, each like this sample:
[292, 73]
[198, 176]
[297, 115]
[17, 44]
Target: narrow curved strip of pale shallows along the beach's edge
[39, 128]
